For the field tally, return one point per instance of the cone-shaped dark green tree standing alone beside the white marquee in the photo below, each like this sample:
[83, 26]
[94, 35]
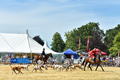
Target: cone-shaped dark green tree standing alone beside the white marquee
[58, 44]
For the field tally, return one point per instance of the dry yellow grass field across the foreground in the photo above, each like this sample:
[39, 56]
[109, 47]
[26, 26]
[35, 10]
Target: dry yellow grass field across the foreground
[111, 73]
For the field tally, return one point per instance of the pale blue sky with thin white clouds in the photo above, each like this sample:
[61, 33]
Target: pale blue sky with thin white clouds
[46, 17]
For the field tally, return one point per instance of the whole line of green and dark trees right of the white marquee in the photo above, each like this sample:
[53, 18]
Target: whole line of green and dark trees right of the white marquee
[108, 41]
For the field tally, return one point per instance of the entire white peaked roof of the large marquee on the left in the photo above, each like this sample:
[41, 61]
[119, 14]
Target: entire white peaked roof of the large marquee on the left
[21, 43]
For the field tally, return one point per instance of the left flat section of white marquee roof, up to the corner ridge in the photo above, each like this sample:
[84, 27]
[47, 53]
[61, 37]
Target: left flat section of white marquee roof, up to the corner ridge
[14, 43]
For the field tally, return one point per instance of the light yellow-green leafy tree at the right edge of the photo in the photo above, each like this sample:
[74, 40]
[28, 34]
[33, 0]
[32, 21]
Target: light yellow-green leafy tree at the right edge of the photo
[116, 45]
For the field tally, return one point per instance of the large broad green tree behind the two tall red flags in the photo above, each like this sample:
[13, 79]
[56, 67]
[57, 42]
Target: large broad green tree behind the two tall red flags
[72, 37]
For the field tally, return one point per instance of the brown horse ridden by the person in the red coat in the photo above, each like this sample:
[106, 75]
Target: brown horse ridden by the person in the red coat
[97, 62]
